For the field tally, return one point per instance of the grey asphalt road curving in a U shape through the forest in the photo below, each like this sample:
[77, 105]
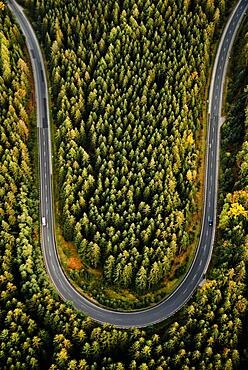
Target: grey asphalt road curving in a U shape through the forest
[196, 274]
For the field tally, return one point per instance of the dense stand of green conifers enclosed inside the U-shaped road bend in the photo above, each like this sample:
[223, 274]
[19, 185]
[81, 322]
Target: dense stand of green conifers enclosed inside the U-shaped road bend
[128, 79]
